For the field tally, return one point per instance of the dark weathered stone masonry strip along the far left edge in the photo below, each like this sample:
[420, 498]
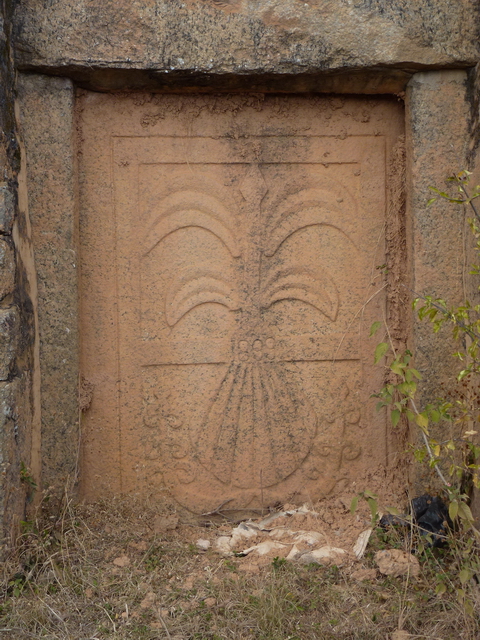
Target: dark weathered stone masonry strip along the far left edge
[16, 346]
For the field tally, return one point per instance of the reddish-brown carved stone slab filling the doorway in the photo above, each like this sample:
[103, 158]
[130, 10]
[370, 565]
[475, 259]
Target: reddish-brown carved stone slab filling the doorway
[228, 248]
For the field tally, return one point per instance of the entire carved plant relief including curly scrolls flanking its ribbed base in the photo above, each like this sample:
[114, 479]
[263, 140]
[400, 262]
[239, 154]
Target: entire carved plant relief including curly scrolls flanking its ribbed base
[260, 427]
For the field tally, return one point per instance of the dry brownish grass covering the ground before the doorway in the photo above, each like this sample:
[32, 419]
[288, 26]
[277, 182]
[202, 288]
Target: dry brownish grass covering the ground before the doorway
[61, 582]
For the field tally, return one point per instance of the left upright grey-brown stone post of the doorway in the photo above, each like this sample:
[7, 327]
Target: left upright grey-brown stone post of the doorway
[46, 106]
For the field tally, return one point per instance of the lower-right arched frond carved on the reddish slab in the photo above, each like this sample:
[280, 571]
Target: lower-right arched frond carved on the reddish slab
[290, 284]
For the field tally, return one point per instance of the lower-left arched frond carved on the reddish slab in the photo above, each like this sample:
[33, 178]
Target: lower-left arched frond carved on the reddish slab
[197, 291]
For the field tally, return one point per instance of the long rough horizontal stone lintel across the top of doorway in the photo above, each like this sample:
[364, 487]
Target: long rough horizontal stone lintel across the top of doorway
[175, 42]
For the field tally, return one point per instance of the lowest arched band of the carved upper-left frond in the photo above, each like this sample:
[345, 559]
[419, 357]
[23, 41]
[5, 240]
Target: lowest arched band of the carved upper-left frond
[191, 218]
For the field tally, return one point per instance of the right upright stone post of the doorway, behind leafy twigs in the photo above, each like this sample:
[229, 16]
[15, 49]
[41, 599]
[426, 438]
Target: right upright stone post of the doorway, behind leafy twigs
[437, 144]
